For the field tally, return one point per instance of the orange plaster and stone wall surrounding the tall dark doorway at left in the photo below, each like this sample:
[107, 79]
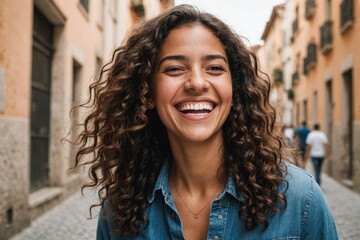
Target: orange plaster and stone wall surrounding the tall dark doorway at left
[79, 37]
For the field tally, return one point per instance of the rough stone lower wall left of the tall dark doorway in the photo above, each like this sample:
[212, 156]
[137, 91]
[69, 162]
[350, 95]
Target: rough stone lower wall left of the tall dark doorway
[14, 175]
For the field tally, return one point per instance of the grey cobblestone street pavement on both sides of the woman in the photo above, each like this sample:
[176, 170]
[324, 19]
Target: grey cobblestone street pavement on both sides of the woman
[69, 221]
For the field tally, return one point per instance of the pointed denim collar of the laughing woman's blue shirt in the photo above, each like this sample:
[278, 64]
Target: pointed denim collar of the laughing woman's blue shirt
[162, 183]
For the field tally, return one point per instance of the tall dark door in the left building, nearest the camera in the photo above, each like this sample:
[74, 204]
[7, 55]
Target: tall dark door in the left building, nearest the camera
[40, 100]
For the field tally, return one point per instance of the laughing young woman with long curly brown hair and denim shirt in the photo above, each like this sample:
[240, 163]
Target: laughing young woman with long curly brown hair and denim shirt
[183, 143]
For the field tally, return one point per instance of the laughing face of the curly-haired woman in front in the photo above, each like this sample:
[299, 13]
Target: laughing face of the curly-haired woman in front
[192, 84]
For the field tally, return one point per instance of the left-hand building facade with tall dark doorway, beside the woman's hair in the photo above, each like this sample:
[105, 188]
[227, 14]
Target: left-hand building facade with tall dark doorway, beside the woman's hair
[50, 52]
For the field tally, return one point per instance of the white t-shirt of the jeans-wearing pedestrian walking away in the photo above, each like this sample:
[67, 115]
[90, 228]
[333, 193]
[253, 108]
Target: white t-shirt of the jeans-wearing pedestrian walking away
[317, 139]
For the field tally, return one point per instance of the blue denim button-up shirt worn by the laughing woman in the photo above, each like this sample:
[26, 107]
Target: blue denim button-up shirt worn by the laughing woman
[307, 215]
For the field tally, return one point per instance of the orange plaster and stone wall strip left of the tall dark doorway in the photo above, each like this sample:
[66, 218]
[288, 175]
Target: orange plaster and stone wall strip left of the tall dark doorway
[15, 73]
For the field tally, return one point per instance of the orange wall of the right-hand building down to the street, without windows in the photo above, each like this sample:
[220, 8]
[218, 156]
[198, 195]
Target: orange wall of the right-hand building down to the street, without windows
[344, 55]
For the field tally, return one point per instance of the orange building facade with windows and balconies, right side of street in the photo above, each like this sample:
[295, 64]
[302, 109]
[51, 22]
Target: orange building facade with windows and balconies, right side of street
[322, 60]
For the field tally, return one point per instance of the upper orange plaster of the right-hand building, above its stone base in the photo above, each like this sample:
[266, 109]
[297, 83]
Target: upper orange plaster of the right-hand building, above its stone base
[343, 45]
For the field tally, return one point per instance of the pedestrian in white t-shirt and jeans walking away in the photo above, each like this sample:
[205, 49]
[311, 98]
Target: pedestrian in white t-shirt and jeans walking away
[318, 148]
